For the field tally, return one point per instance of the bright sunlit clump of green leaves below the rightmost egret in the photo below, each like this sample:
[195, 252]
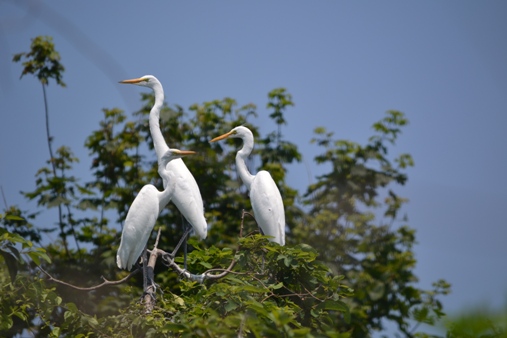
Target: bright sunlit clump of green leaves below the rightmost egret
[261, 297]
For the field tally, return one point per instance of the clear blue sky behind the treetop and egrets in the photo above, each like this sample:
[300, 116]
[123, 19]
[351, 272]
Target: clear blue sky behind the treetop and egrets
[345, 63]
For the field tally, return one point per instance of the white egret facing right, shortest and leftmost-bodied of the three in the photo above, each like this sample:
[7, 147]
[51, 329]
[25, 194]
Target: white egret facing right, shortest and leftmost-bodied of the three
[143, 214]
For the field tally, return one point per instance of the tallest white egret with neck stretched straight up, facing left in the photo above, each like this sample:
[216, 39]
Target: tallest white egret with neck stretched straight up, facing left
[185, 192]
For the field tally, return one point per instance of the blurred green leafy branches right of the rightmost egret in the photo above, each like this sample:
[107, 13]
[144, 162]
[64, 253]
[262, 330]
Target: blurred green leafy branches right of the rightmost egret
[375, 257]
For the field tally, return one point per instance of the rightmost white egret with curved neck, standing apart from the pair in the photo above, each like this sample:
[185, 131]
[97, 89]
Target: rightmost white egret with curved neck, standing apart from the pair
[265, 197]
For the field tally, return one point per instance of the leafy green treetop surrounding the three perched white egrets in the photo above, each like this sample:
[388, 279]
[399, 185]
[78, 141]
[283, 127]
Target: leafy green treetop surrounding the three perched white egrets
[360, 275]
